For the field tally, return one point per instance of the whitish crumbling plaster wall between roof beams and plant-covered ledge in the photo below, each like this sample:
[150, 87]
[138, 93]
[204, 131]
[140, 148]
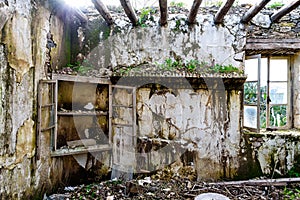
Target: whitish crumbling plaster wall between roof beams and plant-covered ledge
[205, 41]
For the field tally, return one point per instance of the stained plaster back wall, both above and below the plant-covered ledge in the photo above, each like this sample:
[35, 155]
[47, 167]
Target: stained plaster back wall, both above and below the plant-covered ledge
[204, 121]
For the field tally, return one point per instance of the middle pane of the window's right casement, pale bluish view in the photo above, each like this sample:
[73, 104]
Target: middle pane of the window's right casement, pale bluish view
[278, 93]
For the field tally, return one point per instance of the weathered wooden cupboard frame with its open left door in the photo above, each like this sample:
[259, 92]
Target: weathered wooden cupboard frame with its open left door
[43, 128]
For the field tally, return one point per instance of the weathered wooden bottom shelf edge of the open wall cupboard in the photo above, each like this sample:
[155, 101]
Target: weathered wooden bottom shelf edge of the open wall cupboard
[81, 150]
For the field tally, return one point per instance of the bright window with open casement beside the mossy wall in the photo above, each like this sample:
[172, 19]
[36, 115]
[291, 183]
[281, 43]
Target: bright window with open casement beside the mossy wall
[266, 93]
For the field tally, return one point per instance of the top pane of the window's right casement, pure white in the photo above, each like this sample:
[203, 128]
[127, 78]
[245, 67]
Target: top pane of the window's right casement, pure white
[278, 69]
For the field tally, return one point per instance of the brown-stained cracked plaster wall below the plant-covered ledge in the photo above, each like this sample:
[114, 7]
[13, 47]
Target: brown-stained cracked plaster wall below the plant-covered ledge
[201, 121]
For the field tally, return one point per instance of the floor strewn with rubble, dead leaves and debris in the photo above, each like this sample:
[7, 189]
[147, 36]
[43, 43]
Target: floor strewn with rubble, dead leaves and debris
[181, 185]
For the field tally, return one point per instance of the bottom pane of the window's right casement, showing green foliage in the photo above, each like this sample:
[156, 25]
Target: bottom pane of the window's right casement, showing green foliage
[278, 116]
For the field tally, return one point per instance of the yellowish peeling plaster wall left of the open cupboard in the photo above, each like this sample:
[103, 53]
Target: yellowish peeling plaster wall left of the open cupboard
[23, 29]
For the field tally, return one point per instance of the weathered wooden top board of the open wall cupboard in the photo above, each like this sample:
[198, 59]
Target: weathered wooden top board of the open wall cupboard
[84, 79]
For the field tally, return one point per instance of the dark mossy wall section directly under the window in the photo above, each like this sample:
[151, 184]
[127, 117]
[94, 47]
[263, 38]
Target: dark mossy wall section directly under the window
[272, 154]
